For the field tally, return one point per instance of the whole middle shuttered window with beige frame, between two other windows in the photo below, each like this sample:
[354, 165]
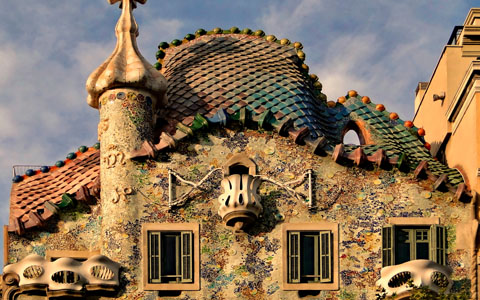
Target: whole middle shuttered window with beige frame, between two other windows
[310, 256]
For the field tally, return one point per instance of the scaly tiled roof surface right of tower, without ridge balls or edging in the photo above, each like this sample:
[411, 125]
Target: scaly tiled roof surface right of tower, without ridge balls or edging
[231, 72]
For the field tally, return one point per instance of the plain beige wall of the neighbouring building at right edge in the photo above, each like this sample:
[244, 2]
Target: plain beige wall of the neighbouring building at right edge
[448, 107]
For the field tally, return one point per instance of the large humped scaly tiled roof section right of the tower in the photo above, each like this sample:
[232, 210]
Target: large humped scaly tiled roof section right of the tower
[215, 71]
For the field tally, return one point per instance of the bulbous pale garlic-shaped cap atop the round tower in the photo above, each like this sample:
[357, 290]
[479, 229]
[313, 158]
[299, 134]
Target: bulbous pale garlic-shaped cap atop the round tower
[126, 67]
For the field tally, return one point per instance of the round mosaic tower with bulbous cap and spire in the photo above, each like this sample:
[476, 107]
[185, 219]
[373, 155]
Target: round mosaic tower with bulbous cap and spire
[126, 89]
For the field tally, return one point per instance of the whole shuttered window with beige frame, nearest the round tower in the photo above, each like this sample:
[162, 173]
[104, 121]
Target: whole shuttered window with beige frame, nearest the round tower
[171, 256]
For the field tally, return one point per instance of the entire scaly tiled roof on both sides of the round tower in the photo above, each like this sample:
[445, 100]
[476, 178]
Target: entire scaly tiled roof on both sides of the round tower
[225, 77]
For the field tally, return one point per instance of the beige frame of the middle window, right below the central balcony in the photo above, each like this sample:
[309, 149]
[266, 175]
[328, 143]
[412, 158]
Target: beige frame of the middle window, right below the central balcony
[305, 227]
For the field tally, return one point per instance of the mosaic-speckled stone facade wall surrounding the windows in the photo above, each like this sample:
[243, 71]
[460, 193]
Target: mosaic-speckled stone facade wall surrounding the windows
[249, 265]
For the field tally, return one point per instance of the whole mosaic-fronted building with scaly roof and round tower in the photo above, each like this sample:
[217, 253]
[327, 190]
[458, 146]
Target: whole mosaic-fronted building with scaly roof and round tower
[225, 176]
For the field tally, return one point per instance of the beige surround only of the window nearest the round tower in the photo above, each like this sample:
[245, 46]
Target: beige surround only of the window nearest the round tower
[172, 227]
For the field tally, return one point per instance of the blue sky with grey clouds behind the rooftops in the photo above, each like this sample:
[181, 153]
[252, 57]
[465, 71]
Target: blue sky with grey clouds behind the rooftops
[48, 49]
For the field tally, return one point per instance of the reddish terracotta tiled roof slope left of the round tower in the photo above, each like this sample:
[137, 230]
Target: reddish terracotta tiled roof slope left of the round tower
[36, 198]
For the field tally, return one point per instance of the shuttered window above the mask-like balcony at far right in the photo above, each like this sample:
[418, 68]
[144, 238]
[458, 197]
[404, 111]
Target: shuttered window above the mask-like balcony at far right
[405, 242]
